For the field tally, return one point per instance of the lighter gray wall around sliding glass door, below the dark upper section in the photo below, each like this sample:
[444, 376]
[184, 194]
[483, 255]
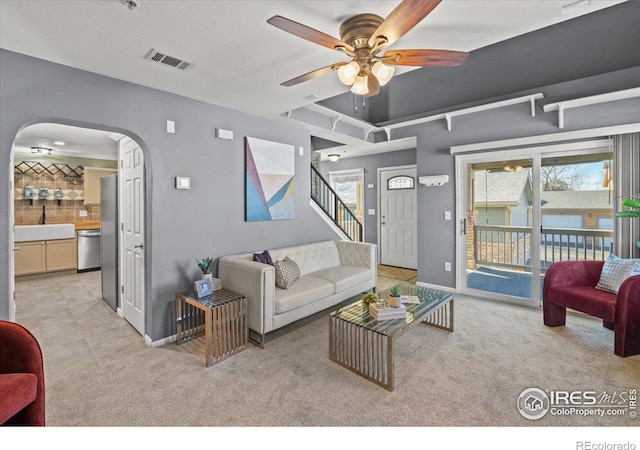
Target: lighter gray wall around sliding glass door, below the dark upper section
[436, 237]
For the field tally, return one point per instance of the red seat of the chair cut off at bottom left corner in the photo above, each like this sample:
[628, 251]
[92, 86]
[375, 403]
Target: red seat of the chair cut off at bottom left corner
[17, 390]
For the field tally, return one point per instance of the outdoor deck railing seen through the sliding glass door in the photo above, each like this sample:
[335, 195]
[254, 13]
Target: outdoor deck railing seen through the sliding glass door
[505, 246]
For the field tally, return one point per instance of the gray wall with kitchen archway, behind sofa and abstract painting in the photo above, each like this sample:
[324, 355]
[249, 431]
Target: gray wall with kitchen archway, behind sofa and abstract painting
[207, 220]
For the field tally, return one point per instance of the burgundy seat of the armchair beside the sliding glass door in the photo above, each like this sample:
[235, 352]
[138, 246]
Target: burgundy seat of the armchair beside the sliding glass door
[586, 299]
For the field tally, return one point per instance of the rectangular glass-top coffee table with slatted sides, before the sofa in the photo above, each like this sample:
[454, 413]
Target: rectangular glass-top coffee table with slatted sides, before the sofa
[364, 345]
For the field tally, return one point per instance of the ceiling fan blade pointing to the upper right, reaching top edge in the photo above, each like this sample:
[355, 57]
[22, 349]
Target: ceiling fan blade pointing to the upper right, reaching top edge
[402, 19]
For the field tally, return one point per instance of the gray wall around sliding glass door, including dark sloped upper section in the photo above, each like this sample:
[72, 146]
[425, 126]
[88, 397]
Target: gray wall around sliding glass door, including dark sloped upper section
[592, 54]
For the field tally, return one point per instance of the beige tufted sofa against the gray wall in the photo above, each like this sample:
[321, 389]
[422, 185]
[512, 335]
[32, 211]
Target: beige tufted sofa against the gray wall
[330, 272]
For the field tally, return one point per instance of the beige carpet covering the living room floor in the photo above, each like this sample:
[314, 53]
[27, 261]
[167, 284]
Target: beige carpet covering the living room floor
[471, 377]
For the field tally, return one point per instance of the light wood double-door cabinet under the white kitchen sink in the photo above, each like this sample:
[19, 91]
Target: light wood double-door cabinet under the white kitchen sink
[36, 257]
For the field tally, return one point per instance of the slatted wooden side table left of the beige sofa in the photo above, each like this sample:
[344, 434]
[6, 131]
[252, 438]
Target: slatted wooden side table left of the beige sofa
[220, 316]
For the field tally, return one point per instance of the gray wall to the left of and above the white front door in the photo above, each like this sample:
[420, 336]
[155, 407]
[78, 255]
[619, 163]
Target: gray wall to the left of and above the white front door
[370, 164]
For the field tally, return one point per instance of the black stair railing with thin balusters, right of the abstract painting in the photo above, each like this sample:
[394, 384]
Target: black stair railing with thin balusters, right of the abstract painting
[333, 206]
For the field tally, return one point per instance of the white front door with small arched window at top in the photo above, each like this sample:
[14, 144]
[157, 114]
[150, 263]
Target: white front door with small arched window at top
[398, 225]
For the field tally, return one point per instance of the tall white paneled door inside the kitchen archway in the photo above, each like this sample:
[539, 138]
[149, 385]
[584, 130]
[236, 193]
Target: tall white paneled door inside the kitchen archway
[132, 233]
